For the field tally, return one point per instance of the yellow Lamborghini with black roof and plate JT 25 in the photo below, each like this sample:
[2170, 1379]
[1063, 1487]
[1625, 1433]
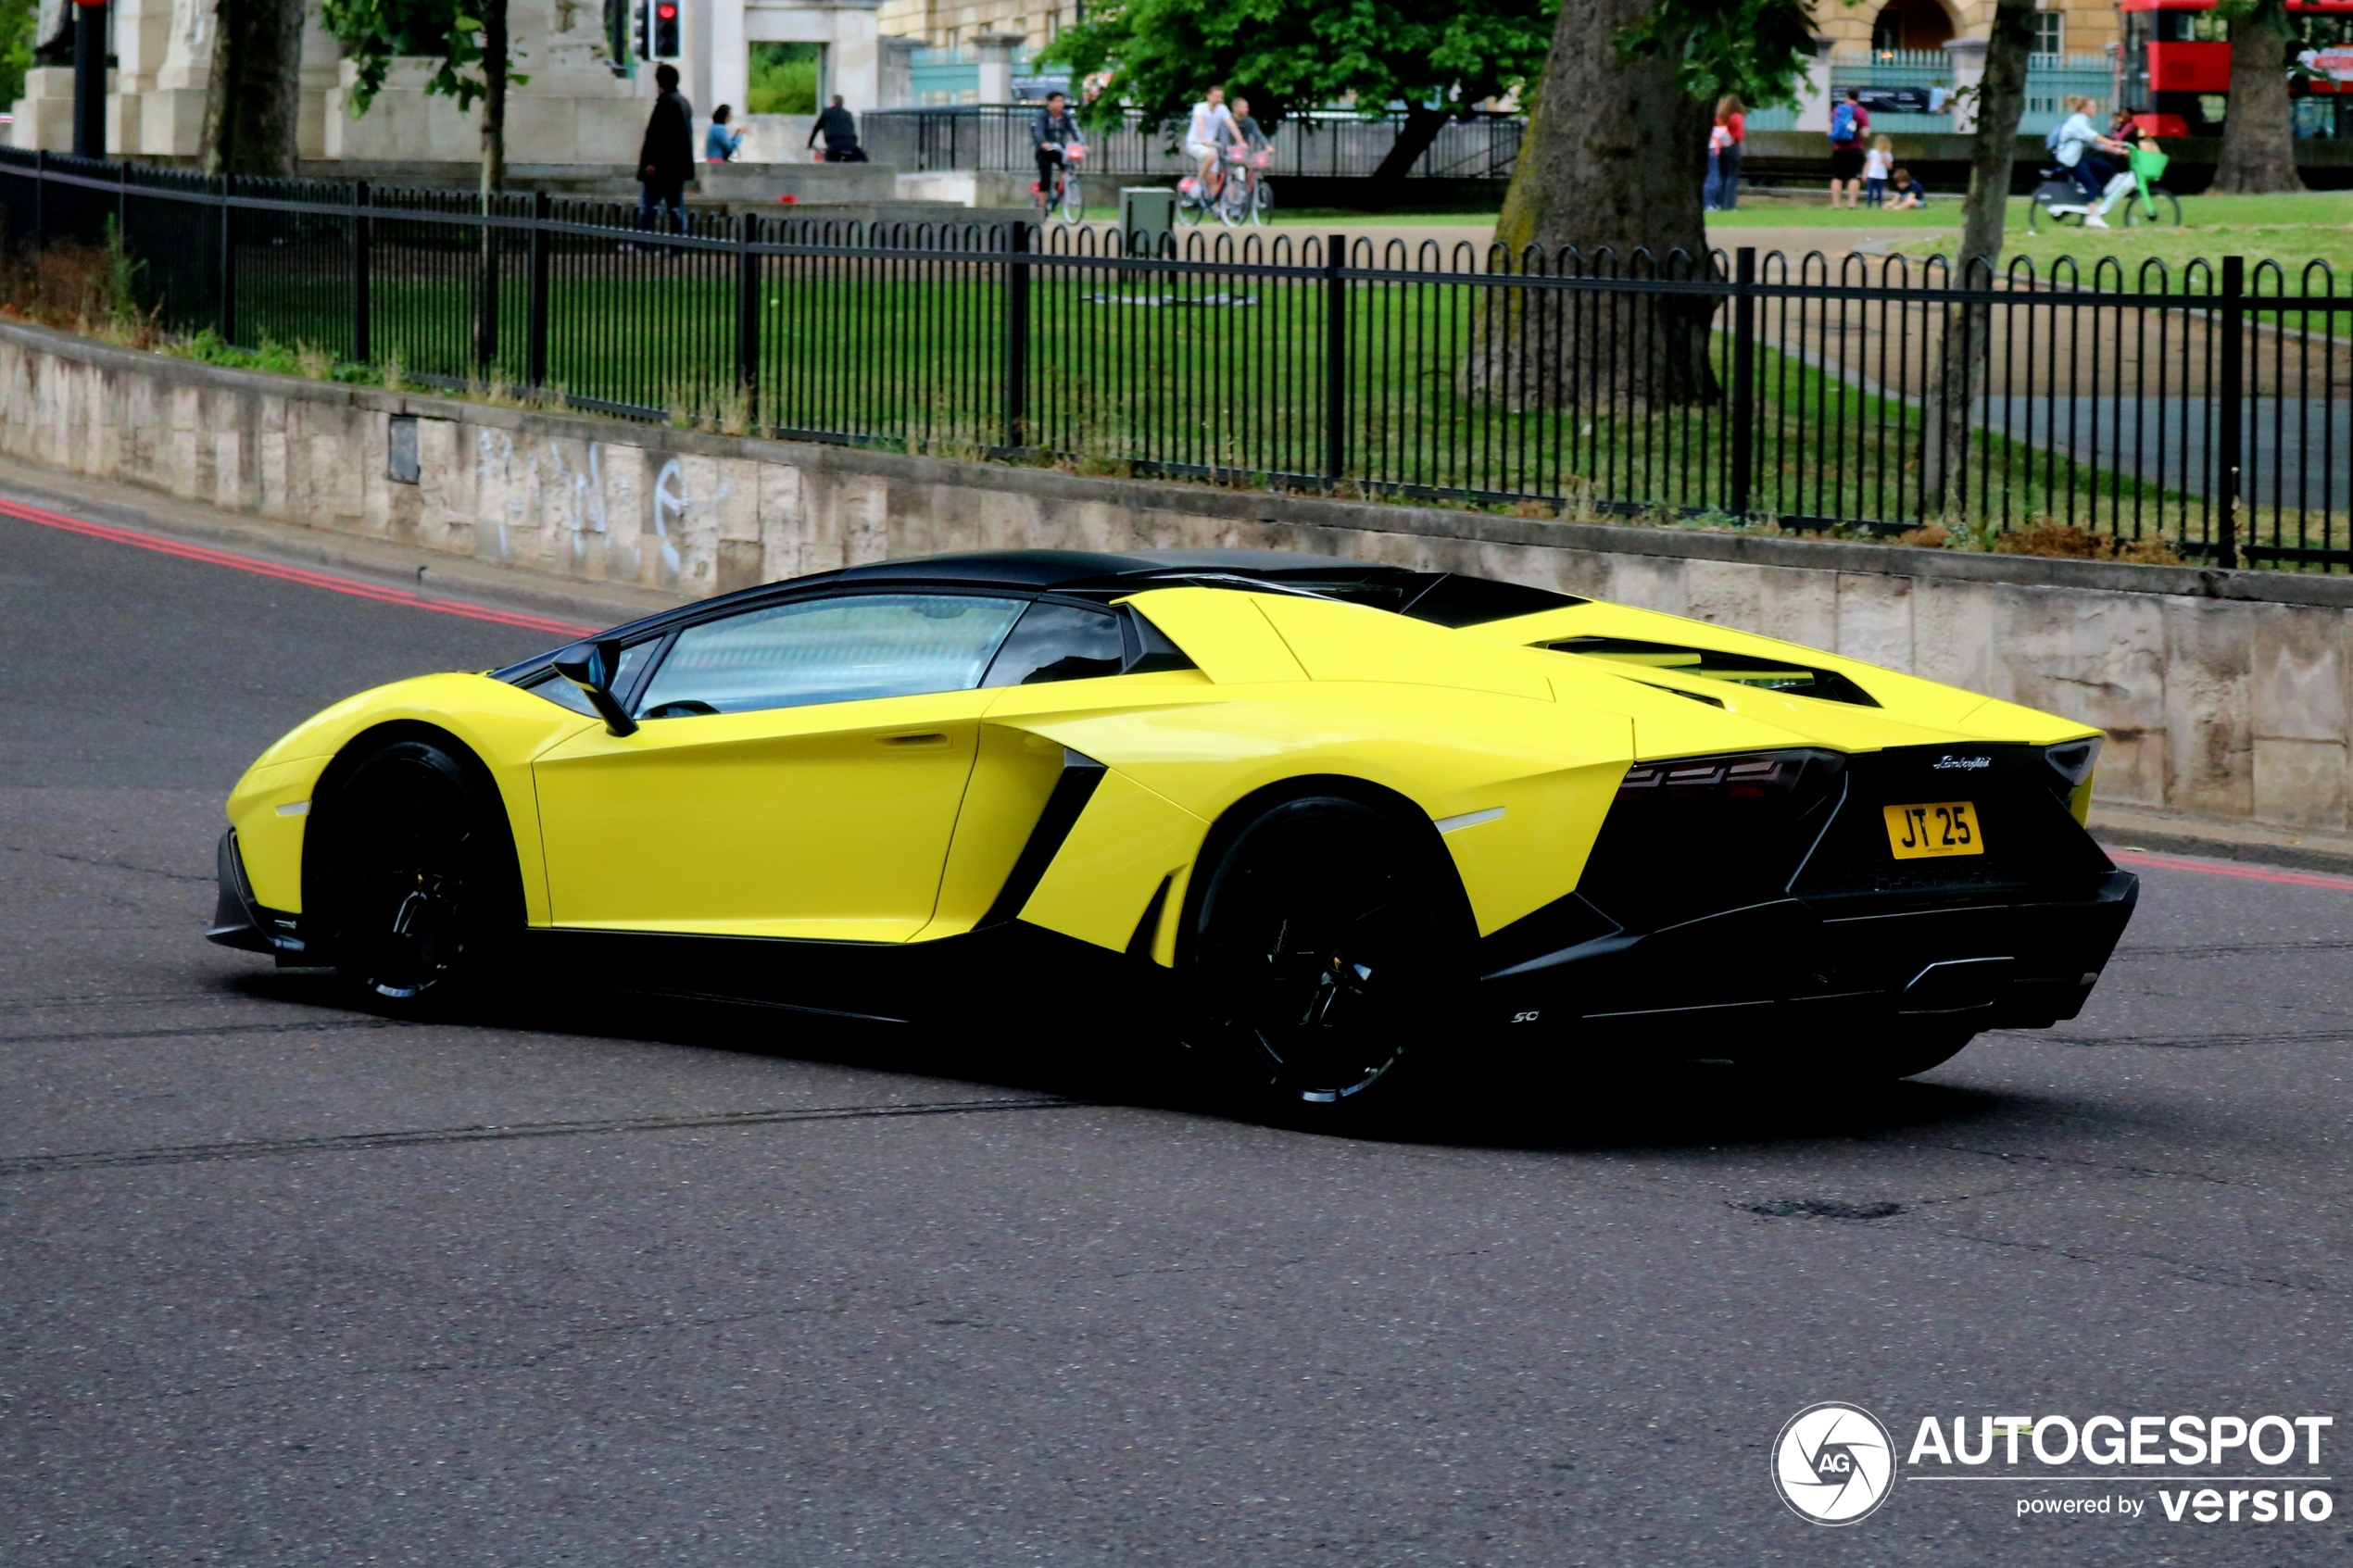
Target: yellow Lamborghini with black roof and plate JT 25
[1317, 817]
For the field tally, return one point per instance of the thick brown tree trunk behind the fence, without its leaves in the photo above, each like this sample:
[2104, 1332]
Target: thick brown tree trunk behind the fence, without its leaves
[1611, 166]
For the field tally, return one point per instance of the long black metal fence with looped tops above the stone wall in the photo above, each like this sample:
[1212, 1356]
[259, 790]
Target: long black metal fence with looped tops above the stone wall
[2206, 408]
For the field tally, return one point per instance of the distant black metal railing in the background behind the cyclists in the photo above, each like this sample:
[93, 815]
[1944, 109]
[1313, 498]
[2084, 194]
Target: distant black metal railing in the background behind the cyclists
[1307, 147]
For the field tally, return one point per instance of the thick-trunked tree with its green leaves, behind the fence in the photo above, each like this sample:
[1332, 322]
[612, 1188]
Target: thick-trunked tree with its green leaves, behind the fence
[1611, 163]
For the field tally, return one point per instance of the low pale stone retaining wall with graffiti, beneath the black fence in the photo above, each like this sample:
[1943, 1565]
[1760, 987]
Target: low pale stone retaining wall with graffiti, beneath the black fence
[2225, 692]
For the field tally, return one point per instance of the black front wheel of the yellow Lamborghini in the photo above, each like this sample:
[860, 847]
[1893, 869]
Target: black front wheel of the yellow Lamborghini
[420, 883]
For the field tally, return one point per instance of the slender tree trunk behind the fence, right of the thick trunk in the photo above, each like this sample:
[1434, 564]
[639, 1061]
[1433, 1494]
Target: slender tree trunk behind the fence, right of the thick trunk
[1961, 366]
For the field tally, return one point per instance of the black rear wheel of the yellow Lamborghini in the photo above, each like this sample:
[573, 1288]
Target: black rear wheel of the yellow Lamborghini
[1321, 953]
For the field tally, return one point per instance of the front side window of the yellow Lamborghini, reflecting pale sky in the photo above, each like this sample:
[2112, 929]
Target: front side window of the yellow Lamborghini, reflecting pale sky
[829, 652]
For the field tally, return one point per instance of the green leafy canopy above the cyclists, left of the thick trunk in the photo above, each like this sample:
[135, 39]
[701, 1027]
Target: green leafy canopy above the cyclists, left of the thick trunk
[1439, 58]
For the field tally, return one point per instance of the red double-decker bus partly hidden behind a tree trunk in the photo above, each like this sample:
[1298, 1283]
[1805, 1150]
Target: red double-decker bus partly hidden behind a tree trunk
[2178, 67]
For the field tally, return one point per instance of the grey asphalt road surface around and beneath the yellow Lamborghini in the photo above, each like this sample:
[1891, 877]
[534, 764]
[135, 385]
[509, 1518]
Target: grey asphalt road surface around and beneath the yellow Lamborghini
[601, 1285]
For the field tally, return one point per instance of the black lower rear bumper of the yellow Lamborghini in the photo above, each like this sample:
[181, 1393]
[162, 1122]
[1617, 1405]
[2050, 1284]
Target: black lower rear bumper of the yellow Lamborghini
[1778, 974]
